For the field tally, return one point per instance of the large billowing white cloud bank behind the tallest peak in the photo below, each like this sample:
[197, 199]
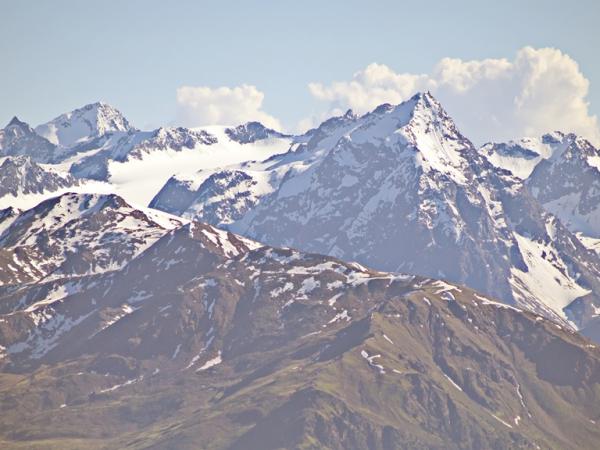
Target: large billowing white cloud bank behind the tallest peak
[541, 90]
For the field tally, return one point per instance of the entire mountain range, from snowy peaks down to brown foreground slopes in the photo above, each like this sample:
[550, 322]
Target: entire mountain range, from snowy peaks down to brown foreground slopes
[376, 282]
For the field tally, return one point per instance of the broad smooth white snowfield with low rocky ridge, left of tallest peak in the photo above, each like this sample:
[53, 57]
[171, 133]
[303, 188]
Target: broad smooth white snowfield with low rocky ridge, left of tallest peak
[140, 163]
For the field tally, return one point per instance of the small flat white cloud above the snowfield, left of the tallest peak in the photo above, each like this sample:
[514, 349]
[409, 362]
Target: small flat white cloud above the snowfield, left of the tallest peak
[201, 105]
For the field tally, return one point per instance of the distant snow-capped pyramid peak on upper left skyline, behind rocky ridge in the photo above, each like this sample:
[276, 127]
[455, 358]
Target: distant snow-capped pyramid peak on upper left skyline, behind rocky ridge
[90, 121]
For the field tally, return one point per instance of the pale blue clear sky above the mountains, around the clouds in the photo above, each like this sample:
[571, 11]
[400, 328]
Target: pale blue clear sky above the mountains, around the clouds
[135, 54]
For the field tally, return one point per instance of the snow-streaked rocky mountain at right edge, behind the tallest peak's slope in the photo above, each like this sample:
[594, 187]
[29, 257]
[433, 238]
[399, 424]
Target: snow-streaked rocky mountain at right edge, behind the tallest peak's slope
[563, 173]
